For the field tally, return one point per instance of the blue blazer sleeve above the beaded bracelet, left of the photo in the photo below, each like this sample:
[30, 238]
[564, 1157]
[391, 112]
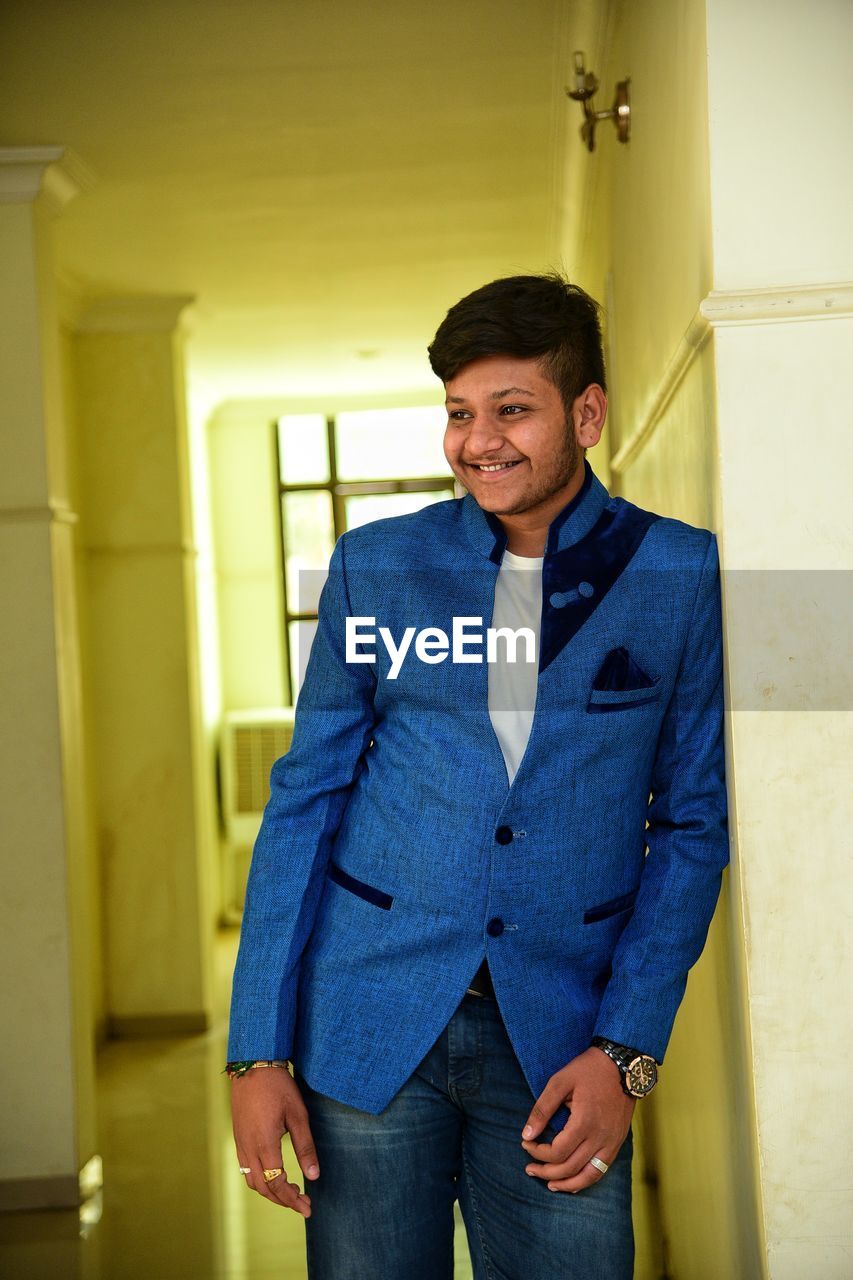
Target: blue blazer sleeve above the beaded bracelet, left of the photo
[309, 792]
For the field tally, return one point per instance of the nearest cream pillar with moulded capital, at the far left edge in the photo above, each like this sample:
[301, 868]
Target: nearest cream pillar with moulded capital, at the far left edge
[48, 936]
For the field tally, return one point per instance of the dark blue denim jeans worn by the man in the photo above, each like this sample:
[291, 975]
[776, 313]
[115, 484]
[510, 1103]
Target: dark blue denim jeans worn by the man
[384, 1204]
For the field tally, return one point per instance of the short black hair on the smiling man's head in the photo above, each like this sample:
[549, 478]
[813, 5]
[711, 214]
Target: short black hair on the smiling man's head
[524, 317]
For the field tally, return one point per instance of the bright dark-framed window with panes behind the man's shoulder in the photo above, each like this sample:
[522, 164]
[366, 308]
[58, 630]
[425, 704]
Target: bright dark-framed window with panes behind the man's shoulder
[339, 473]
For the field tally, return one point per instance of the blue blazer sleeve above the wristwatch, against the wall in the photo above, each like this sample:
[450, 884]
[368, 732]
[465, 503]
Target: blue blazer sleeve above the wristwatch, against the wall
[687, 839]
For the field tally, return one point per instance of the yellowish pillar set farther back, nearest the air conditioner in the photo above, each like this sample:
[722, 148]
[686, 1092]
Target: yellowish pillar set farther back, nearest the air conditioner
[136, 532]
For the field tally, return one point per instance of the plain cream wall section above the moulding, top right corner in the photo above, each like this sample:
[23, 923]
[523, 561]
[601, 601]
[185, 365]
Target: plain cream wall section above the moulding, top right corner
[781, 141]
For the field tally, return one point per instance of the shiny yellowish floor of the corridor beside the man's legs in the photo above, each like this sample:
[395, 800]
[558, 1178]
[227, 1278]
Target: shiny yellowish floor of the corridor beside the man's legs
[174, 1206]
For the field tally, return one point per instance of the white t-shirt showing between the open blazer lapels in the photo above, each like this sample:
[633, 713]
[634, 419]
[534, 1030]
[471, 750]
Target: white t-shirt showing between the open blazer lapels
[513, 685]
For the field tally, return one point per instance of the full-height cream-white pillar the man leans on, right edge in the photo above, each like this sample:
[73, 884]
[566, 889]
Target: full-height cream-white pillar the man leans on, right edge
[782, 309]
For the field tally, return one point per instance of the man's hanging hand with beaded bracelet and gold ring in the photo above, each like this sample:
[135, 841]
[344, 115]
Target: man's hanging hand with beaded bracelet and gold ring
[266, 1104]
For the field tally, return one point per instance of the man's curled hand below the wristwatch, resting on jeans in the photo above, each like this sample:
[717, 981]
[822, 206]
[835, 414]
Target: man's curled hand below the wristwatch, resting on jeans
[601, 1117]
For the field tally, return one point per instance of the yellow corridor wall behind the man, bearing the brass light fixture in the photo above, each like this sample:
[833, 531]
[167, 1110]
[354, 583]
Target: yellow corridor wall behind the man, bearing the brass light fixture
[644, 246]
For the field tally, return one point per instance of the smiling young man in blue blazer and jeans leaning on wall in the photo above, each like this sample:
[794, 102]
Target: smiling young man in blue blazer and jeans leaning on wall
[459, 927]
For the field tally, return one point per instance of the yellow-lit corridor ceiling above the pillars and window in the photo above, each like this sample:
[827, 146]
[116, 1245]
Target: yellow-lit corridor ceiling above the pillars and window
[326, 179]
